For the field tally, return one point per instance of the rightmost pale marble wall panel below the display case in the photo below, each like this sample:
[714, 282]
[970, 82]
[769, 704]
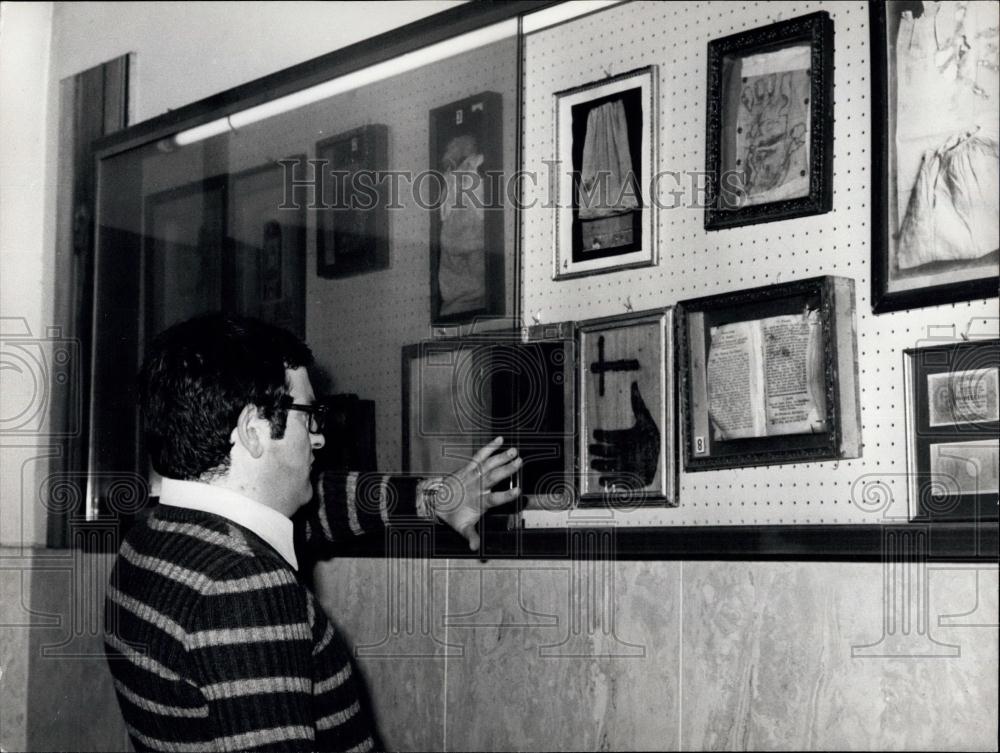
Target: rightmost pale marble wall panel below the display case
[839, 656]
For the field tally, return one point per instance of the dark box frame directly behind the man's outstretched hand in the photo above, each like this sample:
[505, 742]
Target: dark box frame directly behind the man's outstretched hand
[459, 393]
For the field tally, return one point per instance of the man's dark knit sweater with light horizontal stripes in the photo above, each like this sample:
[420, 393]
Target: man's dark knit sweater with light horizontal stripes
[213, 642]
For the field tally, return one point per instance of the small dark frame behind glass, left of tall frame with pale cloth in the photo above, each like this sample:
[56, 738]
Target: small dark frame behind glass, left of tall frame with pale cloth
[352, 236]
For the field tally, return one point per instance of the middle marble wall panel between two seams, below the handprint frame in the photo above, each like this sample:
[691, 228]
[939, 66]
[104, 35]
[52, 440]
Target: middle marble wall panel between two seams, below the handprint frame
[563, 655]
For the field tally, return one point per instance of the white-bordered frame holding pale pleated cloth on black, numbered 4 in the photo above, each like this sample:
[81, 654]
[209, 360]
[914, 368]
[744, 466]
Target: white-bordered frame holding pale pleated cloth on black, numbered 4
[606, 147]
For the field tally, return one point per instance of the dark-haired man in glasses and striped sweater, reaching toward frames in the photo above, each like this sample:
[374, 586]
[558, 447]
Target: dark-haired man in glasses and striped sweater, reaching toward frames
[213, 642]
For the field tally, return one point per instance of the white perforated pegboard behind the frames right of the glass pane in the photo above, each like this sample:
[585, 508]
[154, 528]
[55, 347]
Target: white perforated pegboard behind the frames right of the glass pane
[693, 262]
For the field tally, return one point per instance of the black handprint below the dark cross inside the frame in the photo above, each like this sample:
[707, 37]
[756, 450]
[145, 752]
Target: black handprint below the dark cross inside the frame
[628, 457]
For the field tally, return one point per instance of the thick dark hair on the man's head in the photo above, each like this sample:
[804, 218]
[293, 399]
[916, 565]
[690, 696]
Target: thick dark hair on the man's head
[198, 377]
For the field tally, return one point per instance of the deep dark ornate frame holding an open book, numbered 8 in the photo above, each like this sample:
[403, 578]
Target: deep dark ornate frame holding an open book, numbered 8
[770, 375]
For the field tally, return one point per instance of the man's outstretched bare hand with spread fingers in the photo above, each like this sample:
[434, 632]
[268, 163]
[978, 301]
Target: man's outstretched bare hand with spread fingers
[462, 498]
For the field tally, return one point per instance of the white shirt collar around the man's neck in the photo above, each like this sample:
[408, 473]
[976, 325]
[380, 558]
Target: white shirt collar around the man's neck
[264, 521]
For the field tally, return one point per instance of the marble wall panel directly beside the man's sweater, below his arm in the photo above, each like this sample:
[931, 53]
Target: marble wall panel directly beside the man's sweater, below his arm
[392, 618]
